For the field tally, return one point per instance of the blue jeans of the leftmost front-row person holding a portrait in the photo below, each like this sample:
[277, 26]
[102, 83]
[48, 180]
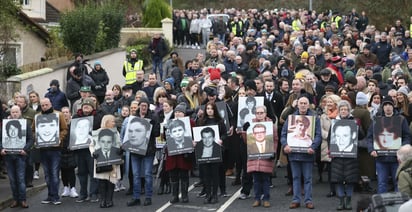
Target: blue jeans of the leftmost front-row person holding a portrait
[16, 170]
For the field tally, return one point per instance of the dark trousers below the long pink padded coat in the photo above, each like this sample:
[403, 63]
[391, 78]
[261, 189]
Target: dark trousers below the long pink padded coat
[261, 185]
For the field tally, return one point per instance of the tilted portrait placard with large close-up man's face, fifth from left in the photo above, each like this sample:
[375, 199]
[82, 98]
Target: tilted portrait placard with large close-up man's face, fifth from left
[137, 135]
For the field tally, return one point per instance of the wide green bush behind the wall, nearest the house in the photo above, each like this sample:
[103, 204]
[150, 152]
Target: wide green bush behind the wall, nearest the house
[92, 28]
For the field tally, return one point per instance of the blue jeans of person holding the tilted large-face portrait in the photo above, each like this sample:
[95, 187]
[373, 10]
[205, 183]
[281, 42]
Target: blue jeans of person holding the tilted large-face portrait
[137, 163]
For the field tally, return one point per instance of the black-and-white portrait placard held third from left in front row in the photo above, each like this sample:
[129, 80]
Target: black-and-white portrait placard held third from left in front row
[80, 132]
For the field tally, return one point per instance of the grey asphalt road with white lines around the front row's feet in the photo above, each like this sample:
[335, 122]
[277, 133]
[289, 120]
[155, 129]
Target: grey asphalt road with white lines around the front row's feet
[278, 200]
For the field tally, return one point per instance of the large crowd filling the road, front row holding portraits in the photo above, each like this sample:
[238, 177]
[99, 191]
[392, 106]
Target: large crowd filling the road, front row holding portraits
[311, 69]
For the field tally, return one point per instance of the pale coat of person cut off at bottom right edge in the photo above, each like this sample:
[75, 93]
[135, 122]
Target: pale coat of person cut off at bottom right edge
[404, 177]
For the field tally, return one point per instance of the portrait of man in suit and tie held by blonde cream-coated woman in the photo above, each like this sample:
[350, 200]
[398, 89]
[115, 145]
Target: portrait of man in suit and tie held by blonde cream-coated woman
[107, 148]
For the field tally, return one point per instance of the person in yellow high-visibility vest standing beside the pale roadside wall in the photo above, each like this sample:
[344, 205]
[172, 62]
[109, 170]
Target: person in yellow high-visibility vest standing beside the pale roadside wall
[130, 68]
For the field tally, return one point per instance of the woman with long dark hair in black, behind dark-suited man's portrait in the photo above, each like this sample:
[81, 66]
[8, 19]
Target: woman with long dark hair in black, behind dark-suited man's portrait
[213, 173]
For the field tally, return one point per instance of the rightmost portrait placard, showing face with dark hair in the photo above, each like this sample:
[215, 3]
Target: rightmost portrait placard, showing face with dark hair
[387, 135]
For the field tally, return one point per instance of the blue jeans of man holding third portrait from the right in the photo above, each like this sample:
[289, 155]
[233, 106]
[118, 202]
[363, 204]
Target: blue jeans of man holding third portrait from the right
[300, 168]
